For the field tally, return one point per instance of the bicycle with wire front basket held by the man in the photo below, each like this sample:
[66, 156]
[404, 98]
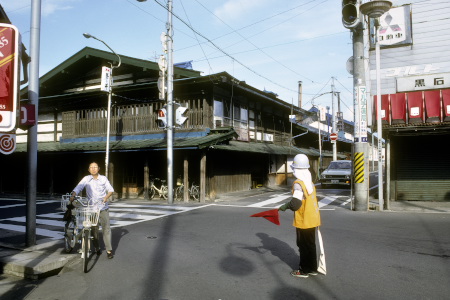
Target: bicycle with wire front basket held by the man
[77, 229]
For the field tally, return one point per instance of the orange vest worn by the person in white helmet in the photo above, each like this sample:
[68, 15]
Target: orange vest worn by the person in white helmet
[307, 216]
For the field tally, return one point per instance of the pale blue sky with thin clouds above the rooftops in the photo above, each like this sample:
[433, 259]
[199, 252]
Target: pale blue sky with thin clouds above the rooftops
[269, 44]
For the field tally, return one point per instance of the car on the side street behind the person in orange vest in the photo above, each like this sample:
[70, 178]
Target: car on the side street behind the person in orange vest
[339, 172]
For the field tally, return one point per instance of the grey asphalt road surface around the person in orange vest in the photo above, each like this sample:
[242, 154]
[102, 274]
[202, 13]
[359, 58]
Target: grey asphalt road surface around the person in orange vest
[219, 252]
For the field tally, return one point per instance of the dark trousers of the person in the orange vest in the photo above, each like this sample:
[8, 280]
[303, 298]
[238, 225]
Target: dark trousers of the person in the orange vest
[306, 242]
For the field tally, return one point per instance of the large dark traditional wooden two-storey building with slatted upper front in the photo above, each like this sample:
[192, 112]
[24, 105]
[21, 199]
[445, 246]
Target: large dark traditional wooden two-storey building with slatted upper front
[236, 137]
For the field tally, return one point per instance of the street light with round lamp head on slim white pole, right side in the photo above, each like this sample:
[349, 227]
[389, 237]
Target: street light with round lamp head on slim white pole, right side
[375, 9]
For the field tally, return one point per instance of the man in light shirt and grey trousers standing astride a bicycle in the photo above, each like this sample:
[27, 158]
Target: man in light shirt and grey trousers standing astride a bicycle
[99, 189]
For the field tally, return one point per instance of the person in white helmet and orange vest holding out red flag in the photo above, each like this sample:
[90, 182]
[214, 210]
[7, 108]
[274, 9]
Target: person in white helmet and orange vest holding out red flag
[306, 216]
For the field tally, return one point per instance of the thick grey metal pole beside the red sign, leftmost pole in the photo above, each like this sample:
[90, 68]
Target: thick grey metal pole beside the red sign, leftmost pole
[33, 96]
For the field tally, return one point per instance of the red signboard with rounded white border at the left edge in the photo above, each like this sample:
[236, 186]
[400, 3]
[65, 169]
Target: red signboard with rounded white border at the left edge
[9, 76]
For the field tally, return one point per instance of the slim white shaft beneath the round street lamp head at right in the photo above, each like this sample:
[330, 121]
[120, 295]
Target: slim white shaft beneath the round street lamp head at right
[379, 126]
